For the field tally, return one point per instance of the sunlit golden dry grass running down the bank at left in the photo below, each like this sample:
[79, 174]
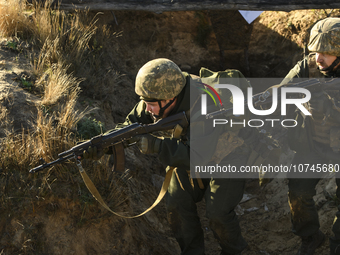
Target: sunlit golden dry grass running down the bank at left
[63, 38]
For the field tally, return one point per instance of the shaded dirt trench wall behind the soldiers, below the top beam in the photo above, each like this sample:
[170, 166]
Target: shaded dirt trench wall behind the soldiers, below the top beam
[214, 39]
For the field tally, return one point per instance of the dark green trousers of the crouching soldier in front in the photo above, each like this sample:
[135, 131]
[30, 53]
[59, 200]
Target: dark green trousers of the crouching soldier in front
[221, 197]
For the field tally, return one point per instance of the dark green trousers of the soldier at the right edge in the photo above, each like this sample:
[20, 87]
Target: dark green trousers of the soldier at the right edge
[304, 215]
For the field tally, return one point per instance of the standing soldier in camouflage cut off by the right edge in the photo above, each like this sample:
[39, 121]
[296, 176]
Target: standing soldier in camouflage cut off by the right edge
[311, 139]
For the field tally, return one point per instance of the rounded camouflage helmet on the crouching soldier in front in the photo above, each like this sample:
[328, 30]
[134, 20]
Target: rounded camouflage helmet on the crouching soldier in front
[159, 79]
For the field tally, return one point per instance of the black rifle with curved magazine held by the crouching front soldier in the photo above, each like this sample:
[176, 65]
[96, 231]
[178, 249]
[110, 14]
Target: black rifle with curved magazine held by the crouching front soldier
[119, 139]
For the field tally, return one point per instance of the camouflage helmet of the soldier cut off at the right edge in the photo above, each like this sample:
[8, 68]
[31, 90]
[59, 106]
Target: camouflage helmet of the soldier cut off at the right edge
[325, 37]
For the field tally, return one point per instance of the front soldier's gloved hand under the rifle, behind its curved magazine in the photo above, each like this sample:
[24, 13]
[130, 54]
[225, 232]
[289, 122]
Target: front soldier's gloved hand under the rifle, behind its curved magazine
[147, 144]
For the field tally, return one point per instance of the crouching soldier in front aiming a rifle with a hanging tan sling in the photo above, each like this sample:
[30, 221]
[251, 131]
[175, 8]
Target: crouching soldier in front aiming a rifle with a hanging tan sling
[165, 90]
